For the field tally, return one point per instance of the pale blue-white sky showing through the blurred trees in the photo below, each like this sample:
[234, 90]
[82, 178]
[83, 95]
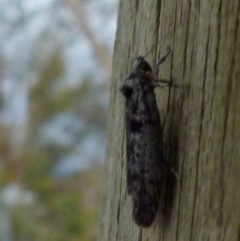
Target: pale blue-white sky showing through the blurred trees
[30, 28]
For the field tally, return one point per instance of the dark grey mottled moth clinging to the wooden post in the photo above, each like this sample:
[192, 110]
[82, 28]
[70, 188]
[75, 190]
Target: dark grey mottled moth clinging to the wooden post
[146, 164]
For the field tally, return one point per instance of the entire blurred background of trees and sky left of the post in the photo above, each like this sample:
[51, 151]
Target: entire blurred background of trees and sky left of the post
[55, 63]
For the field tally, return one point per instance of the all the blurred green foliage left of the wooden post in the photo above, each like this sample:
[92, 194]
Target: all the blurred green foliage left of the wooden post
[64, 209]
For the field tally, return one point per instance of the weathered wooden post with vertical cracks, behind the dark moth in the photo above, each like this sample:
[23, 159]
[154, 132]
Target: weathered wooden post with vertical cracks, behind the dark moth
[202, 123]
